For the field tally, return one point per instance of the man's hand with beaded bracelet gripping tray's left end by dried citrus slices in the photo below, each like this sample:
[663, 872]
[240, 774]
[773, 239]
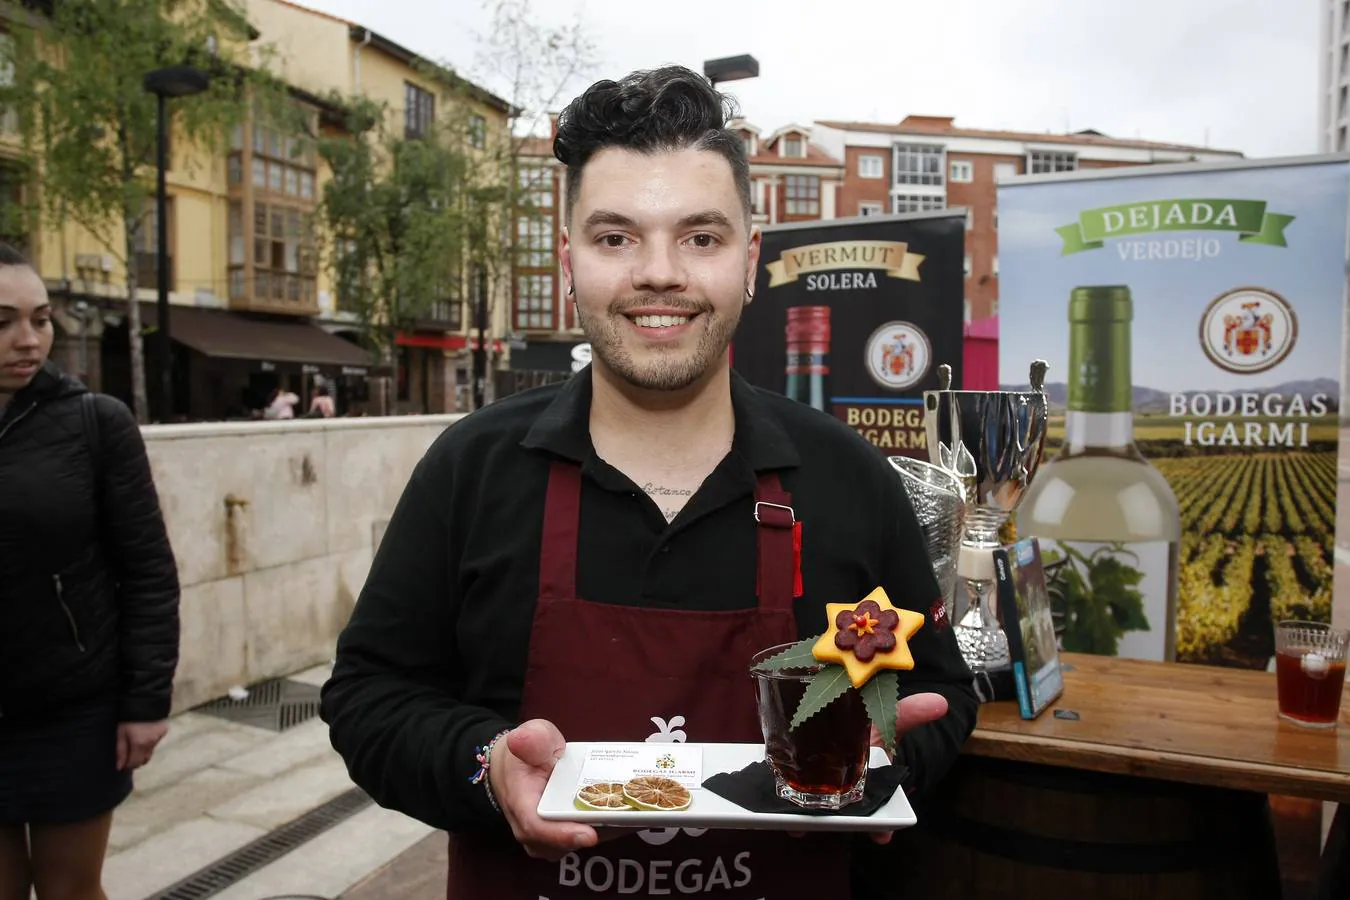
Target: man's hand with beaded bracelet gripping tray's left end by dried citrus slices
[520, 767]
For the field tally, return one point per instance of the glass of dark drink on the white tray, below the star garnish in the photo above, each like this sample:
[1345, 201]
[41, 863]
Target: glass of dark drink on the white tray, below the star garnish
[821, 764]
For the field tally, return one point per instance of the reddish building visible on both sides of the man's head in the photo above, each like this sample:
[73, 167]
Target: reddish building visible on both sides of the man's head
[792, 180]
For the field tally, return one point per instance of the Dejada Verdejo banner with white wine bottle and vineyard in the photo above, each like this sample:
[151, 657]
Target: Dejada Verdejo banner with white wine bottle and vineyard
[1193, 322]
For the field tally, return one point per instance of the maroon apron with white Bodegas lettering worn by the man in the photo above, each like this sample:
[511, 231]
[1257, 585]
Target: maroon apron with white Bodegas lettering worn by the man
[605, 673]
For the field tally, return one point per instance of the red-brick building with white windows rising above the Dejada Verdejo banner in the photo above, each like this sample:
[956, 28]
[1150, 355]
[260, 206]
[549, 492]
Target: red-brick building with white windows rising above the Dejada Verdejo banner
[928, 163]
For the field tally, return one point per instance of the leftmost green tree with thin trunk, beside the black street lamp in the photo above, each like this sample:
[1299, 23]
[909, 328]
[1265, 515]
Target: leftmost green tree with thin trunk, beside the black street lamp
[90, 126]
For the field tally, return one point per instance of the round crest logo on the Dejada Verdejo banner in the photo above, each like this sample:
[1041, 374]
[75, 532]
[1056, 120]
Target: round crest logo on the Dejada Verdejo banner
[1249, 331]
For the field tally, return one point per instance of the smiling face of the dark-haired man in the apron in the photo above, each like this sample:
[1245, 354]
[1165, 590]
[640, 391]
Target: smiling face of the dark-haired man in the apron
[659, 253]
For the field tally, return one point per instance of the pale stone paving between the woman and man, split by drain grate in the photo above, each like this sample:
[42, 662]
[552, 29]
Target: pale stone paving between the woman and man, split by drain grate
[217, 786]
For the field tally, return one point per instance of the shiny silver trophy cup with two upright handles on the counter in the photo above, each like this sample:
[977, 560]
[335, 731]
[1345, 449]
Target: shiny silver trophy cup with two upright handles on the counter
[992, 442]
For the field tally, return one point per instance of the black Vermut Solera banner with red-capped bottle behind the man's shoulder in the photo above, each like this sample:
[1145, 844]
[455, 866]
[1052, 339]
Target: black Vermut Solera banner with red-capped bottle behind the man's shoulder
[854, 316]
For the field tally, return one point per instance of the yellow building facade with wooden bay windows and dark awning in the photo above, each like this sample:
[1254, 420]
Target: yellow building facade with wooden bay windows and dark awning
[253, 308]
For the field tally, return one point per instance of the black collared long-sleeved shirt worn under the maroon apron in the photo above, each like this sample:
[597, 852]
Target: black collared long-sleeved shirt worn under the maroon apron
[433, 662]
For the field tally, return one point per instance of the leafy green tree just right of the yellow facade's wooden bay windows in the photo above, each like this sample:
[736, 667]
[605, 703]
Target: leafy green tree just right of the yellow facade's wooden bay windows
[396, 217]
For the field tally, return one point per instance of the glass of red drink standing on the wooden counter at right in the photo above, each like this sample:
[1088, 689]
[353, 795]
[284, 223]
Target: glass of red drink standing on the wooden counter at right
[1310, 667]
